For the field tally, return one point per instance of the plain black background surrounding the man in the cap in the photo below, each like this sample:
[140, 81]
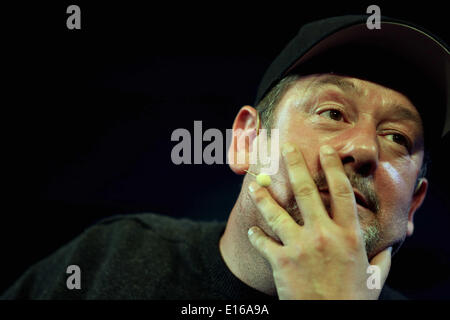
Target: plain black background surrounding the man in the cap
[88, 115]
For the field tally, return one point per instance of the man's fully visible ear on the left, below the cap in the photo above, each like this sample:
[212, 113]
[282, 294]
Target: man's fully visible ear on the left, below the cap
[244, 133]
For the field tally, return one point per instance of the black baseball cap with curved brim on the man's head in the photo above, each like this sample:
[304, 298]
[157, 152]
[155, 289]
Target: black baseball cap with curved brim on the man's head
[399, 55]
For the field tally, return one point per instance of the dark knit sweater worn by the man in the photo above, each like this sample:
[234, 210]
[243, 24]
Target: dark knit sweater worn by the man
[142, 256]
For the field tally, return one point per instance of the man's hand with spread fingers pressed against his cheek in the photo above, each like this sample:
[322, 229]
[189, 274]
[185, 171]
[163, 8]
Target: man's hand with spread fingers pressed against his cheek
[326, 257]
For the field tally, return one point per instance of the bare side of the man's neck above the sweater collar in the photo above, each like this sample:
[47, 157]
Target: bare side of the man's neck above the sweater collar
[239, 255]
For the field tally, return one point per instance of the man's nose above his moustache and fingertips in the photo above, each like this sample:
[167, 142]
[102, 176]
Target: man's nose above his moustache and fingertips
[358, 148]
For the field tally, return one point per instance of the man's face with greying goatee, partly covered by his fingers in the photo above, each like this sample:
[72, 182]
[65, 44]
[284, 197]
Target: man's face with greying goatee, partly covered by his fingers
[378, 134]
